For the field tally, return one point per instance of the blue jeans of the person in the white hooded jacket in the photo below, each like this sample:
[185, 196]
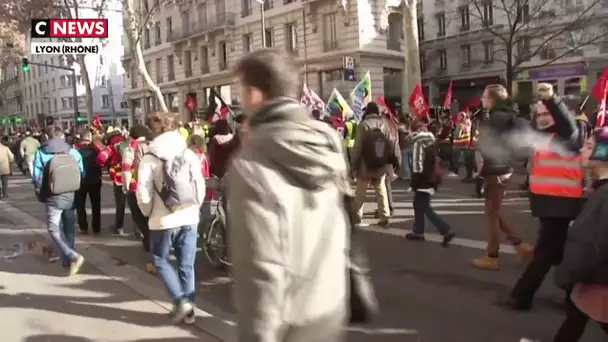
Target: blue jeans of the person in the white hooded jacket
[180, 284]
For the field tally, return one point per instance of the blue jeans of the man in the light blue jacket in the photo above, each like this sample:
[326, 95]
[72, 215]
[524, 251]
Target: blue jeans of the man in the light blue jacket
[61, 225]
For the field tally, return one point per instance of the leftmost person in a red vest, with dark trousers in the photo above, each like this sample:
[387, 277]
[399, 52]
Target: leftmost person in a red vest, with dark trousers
[111, 156]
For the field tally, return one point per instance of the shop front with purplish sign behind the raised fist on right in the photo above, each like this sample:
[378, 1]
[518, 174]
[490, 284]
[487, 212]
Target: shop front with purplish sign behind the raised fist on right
[567, 80]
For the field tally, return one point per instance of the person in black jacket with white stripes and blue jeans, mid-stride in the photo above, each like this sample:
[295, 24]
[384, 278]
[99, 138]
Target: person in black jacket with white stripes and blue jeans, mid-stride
[425, 181]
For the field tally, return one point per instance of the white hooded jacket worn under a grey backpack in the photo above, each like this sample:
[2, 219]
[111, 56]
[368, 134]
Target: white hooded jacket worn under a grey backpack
[150, 178]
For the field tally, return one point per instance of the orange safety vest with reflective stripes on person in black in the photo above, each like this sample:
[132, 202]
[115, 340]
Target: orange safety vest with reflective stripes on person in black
[556, 175]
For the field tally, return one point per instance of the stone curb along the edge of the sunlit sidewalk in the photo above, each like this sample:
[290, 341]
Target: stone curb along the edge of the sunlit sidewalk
[211, 320]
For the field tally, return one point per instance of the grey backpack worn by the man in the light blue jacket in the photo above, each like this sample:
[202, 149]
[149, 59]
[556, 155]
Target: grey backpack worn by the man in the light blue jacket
[63, 174]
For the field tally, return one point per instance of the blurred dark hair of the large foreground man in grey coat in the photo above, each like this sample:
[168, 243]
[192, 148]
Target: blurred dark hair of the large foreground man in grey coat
[271, 71]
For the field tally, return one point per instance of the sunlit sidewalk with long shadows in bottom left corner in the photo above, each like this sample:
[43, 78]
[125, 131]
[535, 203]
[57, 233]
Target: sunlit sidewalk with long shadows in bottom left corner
[38, 303]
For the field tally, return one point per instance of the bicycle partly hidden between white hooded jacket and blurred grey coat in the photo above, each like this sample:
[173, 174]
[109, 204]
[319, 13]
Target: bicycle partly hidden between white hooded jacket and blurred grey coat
[213, 229]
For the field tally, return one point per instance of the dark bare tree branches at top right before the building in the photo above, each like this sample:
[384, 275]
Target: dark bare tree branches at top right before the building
[546, 30]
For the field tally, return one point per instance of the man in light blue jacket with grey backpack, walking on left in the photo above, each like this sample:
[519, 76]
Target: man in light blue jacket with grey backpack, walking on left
[57, 172]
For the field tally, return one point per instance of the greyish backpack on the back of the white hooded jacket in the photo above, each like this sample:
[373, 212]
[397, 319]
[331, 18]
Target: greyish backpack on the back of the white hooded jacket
[179, 187]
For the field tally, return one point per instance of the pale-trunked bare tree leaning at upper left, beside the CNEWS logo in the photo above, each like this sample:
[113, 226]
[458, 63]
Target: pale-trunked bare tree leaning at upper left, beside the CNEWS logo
[139, 19]
